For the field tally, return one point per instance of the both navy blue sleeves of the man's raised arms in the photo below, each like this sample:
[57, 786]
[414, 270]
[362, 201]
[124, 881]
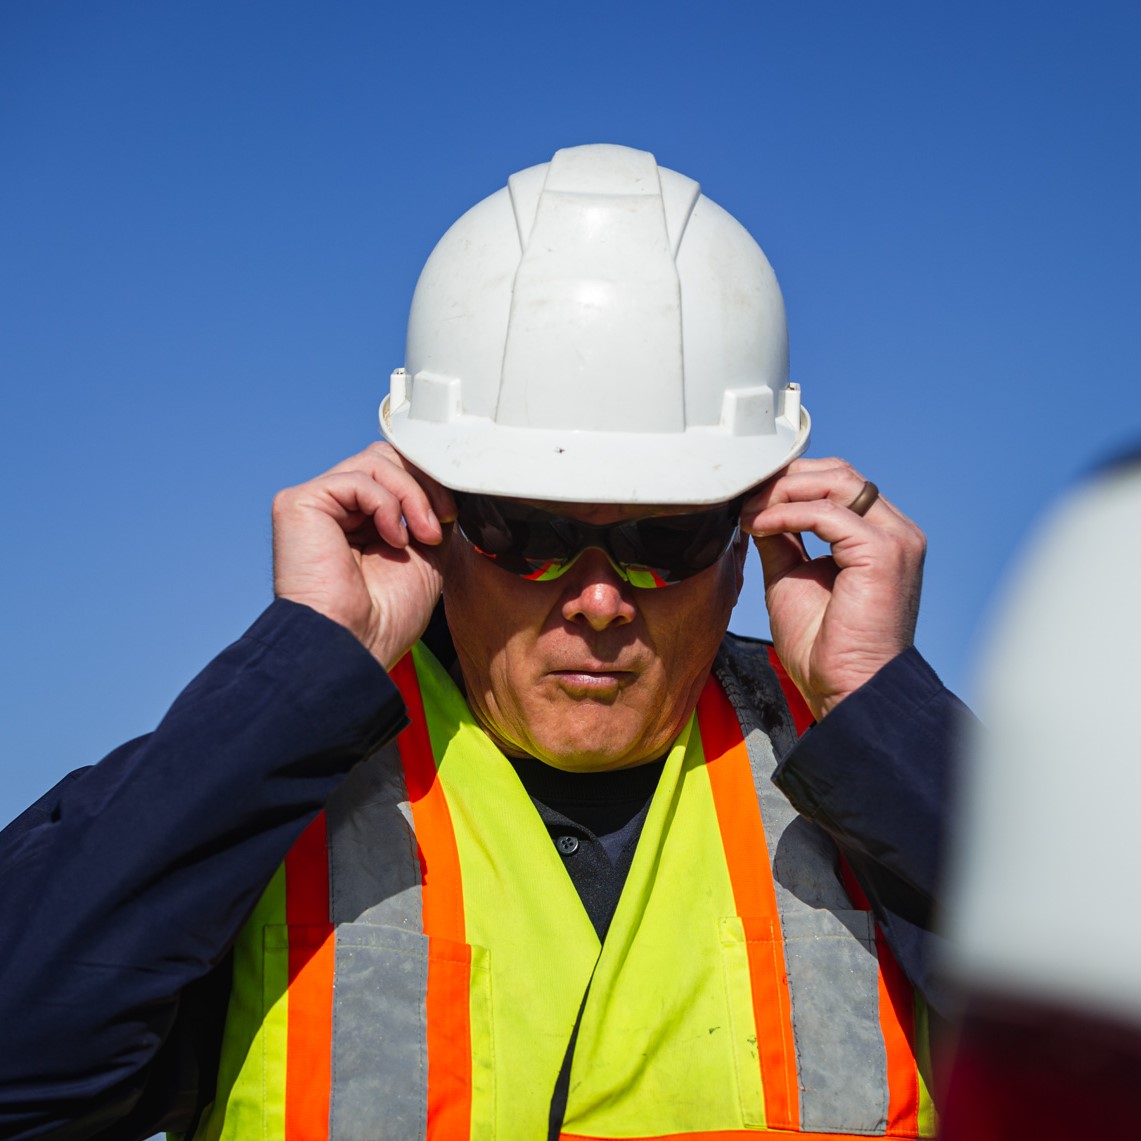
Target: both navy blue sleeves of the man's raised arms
[123, 889]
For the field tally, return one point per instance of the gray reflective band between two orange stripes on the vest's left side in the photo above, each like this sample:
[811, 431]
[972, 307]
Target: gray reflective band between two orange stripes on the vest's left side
[381, 1039]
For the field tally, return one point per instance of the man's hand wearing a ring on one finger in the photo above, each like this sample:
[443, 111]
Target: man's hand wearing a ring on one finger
[839, 619]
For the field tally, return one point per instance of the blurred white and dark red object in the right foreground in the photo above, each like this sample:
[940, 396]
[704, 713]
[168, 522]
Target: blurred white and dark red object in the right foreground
[1043, 919]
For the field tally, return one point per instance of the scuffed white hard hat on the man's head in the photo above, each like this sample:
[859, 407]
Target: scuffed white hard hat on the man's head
[598, 331]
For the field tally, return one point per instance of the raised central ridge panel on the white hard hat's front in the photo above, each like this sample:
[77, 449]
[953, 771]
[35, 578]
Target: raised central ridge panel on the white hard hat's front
[596, 297]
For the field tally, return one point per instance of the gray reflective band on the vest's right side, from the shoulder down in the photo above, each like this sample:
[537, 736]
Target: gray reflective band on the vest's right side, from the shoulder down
[830, 949]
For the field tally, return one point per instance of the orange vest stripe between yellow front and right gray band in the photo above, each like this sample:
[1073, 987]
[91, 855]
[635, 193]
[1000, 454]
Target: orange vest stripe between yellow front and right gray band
[747, 855]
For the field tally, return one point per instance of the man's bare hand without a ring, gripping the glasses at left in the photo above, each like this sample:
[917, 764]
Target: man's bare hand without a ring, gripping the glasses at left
[363, 545]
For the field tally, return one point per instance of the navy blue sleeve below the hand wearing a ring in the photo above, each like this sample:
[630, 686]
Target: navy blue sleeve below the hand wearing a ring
[878, 775]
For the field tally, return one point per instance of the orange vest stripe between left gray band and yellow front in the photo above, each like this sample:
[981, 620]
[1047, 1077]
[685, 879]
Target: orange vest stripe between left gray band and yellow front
[449, 980]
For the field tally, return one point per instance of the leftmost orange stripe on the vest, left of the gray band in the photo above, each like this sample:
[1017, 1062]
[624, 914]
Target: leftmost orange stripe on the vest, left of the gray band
[311, 985]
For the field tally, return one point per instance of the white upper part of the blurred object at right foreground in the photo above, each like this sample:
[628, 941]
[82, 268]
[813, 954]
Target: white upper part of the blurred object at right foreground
[1045, 899]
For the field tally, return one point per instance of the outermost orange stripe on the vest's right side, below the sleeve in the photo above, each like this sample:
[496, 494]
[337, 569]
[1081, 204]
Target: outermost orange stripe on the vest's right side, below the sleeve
[897, 1024]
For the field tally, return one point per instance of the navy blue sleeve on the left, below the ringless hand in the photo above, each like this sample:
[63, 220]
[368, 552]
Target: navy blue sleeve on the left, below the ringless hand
[127, 884]
